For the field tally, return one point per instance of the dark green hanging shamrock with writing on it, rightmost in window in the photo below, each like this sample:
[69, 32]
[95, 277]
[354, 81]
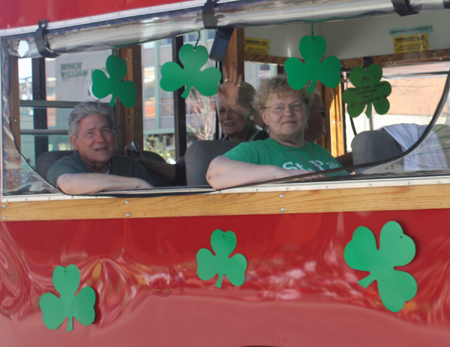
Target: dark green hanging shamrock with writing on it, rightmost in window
[369, 90]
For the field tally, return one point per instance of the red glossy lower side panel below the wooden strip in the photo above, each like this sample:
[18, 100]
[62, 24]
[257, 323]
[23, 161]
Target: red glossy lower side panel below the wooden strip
[298, 289]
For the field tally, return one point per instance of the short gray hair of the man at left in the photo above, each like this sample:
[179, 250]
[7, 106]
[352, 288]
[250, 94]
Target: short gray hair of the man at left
[86, 109]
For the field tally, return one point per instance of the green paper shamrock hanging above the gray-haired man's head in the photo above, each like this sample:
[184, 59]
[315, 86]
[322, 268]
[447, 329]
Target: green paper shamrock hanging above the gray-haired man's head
[102, 86]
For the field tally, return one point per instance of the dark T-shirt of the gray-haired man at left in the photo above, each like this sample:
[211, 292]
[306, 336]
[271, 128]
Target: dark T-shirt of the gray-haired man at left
[120, 166]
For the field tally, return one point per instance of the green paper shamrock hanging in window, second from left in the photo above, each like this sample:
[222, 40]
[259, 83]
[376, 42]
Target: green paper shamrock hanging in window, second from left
[174, 76]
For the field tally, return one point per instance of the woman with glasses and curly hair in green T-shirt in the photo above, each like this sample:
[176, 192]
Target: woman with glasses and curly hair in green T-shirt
[286, 153]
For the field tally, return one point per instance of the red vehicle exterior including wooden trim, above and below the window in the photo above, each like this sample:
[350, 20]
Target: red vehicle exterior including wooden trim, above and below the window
[139, 255]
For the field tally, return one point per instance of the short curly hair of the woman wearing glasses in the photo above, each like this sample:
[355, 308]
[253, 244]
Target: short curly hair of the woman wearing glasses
[280, 86]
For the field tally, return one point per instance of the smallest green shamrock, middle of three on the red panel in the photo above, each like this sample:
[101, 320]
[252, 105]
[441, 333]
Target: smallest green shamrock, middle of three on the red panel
[209, 265]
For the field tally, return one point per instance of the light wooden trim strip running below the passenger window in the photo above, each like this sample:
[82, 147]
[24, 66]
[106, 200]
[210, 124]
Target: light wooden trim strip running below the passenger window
[313, 201]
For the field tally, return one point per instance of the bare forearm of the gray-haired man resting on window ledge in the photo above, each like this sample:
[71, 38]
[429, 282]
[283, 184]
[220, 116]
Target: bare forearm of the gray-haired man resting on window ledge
[91, 183]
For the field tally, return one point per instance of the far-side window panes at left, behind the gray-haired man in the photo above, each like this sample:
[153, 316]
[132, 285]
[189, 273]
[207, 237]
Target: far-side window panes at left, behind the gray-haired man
[68, 78]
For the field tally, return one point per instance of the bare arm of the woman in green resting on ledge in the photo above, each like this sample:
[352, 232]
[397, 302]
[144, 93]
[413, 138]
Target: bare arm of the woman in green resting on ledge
[224, 173]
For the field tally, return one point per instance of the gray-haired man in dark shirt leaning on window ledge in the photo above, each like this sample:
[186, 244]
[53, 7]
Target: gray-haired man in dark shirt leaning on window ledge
[93, 166]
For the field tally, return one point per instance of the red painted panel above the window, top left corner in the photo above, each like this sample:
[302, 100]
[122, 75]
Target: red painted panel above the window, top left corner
[21, 13]
